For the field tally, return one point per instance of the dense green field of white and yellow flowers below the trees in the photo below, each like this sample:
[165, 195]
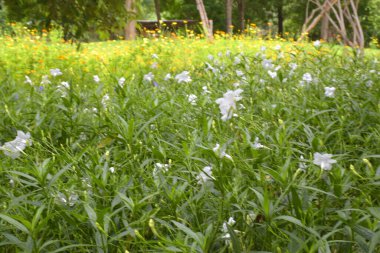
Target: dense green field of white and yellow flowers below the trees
[232, 156]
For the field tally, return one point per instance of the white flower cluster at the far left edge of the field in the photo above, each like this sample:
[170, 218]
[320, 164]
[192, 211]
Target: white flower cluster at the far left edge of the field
[14, 148]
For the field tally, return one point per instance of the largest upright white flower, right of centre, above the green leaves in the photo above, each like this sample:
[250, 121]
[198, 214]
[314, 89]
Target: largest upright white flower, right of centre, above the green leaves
[227, 104]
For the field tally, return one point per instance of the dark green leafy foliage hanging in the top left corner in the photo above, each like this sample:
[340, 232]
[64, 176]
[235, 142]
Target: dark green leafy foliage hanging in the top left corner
[76, 18]
